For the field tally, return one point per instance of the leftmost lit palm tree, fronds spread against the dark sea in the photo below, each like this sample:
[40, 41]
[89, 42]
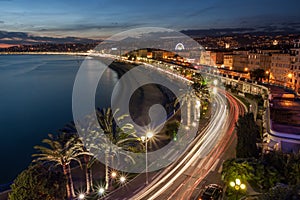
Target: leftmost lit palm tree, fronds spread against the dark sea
[61, 153]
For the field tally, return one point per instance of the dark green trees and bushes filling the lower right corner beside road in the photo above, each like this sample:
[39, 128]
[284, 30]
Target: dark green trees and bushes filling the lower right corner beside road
[266, 173]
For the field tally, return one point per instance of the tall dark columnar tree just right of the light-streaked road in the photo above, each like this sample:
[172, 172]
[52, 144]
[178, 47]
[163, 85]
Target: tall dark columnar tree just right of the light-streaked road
[247, 134]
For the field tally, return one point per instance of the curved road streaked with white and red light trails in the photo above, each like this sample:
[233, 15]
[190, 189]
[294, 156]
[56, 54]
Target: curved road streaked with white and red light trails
[183, 176]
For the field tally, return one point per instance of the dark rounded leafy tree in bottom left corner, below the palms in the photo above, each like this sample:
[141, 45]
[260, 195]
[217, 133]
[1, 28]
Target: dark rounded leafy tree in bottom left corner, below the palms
[38, 182]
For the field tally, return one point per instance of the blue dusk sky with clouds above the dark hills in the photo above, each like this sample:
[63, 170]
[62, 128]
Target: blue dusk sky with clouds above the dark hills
[102, 18]
